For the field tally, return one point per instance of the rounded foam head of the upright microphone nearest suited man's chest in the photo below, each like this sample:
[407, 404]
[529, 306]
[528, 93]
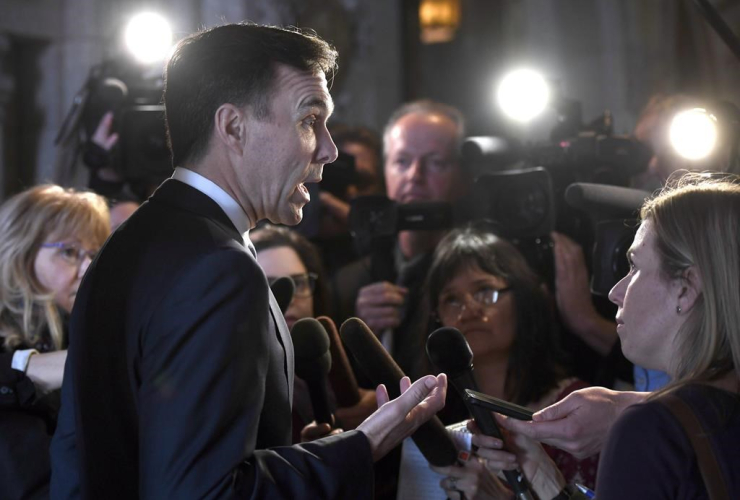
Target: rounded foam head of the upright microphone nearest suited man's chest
[311, 344]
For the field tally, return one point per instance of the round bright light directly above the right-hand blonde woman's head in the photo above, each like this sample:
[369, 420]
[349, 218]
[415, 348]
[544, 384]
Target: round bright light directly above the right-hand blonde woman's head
[693, 133]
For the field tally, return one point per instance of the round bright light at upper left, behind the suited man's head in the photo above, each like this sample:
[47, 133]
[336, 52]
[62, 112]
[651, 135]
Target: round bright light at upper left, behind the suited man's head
[149, 37]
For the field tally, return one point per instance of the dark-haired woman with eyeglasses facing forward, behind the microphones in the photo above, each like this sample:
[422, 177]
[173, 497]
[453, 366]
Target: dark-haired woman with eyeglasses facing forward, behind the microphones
[483, 286]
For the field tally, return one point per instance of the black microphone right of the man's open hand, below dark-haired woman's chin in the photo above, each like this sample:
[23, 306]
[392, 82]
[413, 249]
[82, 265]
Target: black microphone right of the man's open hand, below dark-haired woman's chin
[450, 352]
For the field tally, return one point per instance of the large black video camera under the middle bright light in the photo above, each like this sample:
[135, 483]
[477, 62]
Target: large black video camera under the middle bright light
[521, 189]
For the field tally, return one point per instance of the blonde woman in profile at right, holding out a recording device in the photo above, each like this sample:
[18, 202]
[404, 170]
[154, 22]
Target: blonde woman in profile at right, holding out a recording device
[678, 311]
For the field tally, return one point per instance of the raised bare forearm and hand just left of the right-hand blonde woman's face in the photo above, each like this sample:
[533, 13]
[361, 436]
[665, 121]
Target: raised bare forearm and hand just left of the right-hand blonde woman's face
[573, 297]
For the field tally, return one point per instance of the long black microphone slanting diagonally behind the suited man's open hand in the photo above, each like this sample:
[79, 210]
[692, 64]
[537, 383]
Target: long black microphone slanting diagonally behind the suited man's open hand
[431, 437]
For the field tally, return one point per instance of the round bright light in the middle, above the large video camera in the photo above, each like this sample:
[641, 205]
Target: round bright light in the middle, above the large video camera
[523, 94]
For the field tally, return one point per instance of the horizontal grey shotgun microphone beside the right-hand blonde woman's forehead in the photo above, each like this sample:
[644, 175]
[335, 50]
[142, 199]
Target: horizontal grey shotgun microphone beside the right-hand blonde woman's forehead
[608, 200]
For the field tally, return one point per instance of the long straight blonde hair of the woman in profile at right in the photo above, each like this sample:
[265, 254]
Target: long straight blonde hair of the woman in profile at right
[696, 219]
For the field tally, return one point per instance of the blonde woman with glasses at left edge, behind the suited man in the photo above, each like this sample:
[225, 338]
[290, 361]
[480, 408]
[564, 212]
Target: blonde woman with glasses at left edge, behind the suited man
[48, 237]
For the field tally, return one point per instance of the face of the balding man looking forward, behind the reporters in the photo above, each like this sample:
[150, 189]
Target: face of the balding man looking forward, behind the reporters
[421, 162]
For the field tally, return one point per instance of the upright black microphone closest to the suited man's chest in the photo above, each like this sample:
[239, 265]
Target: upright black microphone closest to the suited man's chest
[312, 364]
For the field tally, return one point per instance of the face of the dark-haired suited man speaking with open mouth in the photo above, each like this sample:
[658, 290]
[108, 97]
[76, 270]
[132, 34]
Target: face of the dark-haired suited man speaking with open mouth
[287, 149]
